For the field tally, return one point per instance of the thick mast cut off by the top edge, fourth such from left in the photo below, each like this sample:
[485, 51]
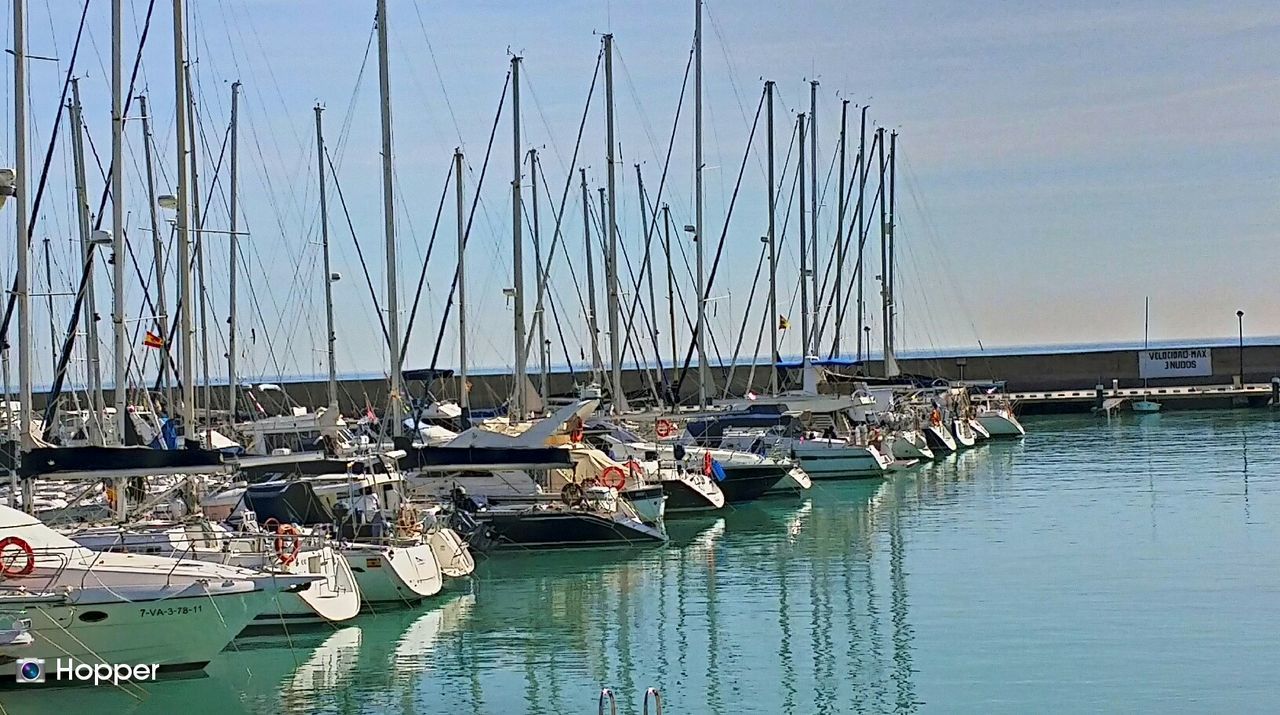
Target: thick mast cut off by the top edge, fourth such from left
[385, 85]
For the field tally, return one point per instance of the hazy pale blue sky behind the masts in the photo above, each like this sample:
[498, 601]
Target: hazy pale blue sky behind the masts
[1058, 164]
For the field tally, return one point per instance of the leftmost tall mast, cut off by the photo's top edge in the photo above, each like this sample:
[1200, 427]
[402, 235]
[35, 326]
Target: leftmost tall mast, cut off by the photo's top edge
[24, 279]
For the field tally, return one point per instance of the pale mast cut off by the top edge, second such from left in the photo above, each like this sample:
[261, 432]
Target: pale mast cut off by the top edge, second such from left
[118, 247]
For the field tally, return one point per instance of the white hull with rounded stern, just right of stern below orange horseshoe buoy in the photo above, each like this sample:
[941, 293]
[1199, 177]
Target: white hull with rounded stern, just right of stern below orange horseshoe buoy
[394, 575]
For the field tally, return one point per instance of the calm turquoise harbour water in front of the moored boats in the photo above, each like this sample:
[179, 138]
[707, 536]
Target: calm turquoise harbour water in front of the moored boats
[1094, 566]
